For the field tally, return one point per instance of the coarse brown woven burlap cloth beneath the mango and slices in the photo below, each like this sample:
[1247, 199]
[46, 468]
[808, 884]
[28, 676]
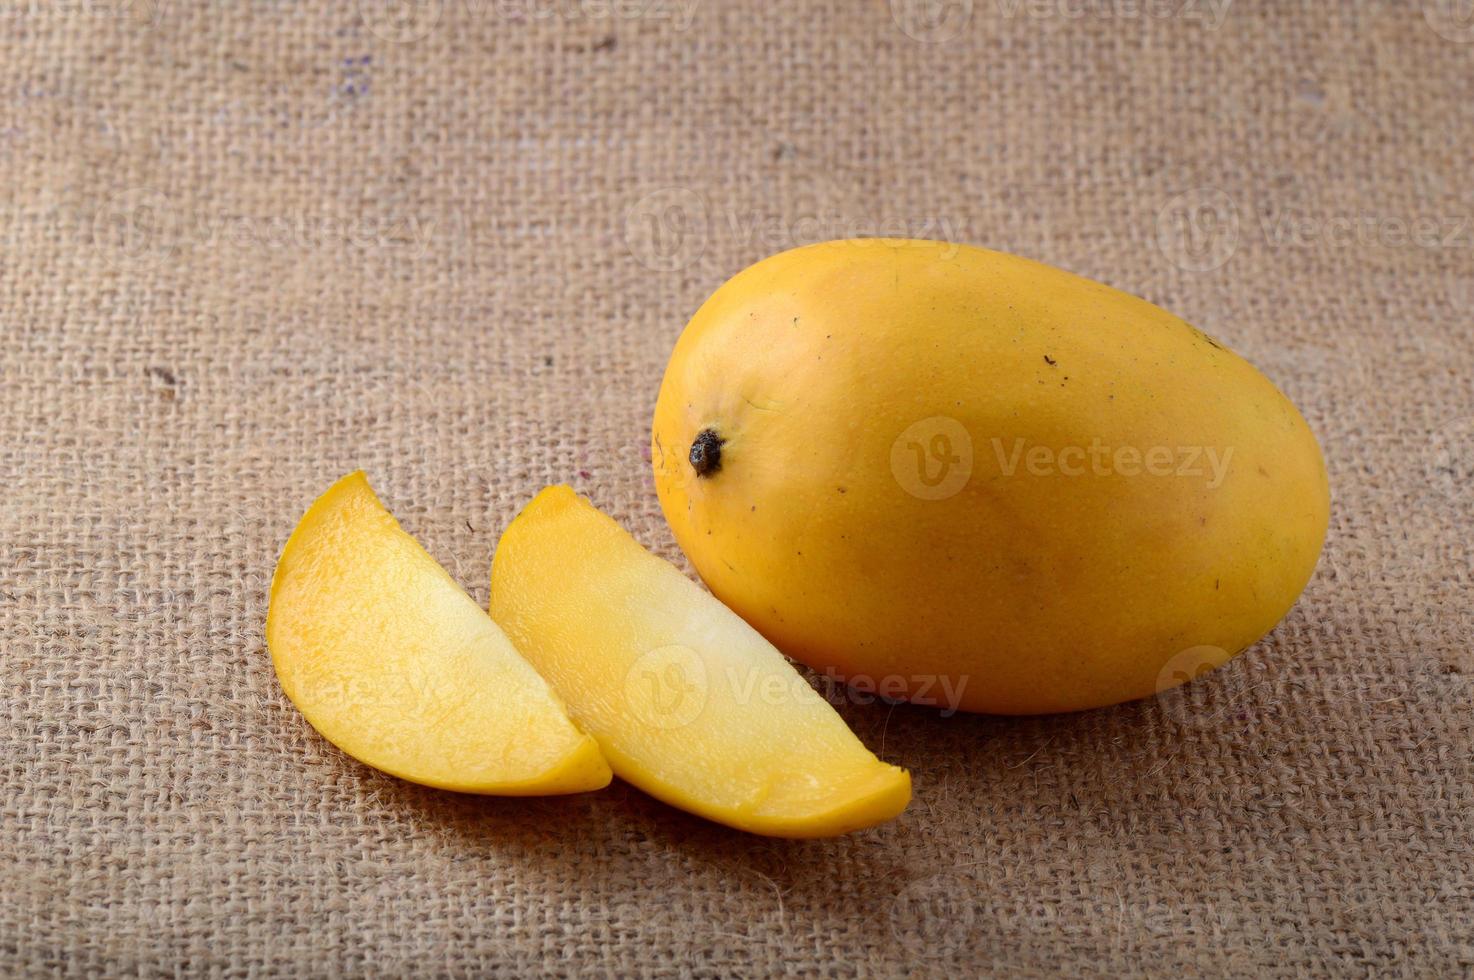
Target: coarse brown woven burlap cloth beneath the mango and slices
[247, 248]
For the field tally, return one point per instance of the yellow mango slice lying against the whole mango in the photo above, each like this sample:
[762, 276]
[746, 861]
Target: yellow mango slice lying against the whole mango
[686, 701]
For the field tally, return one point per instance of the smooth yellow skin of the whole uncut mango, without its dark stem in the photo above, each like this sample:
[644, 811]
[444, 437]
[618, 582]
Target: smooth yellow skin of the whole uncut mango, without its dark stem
[926, 480]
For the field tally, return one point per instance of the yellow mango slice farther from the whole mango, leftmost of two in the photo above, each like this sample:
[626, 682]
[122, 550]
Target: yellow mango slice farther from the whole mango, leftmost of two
[394, 664]
